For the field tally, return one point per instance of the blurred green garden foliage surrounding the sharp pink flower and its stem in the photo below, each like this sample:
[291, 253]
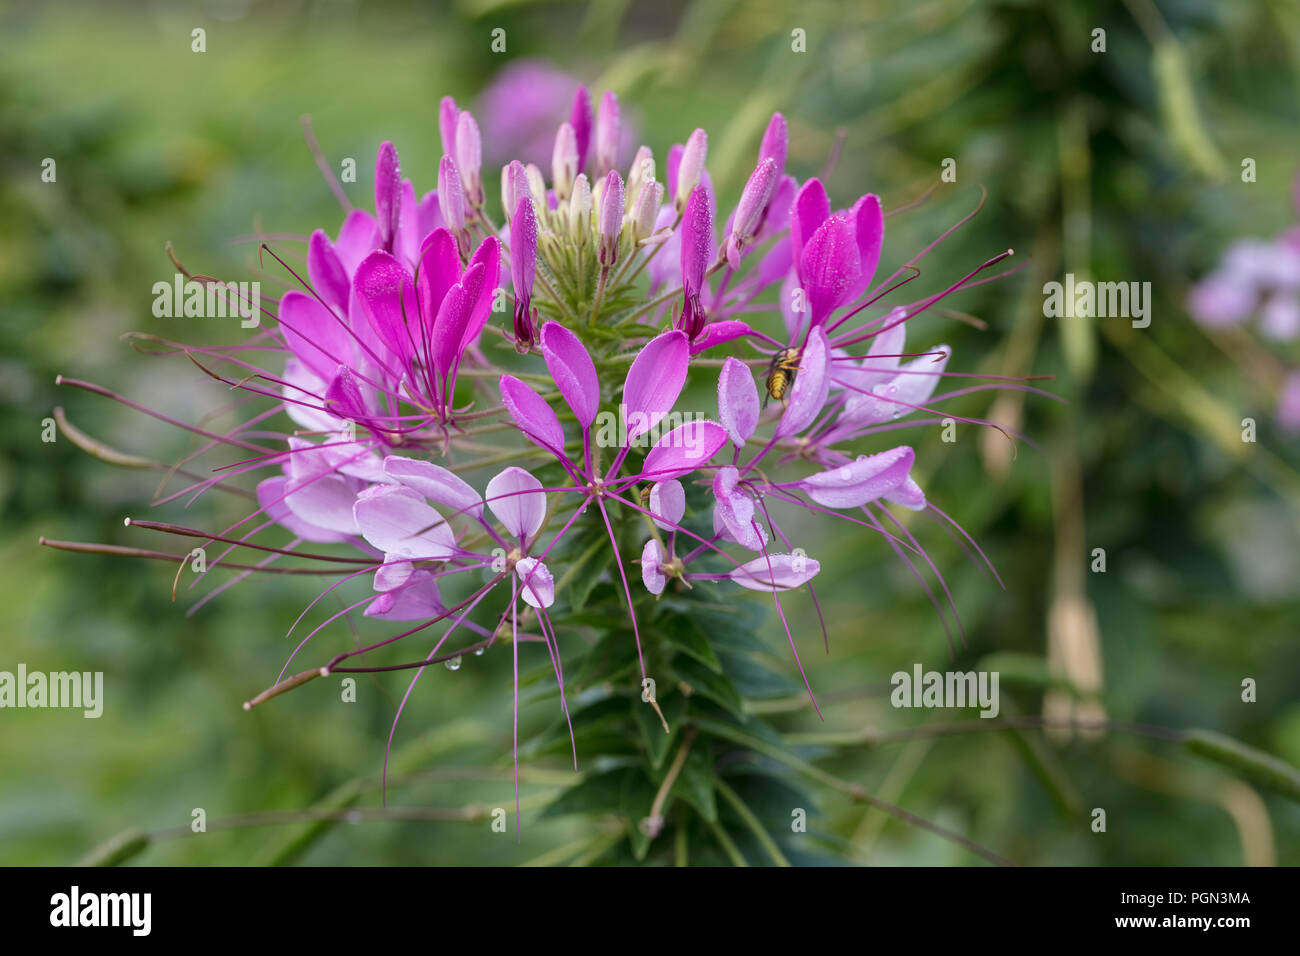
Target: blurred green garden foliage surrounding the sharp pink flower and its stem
[1123, 166]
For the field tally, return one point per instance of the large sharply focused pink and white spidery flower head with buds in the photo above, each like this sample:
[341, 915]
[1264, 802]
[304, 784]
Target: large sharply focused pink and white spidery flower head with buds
[617, 292]
